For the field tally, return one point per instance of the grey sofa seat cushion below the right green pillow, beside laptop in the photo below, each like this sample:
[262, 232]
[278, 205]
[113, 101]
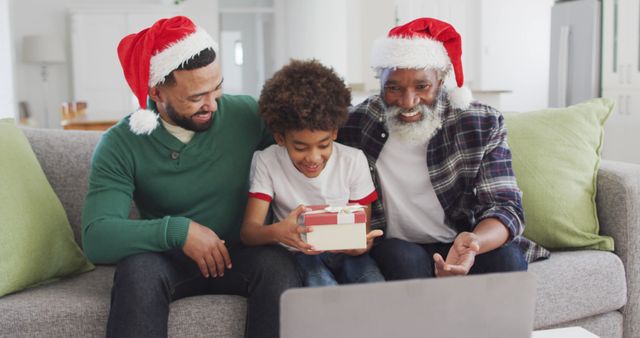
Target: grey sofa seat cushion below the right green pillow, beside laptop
[578, 284]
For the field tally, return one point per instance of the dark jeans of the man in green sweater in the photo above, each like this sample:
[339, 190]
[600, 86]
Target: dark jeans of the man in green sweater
[145, 284]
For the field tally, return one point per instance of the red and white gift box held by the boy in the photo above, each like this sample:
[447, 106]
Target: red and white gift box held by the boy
[335, 228]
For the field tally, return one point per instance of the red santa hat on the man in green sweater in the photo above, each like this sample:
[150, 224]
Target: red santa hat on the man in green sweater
[153, 53]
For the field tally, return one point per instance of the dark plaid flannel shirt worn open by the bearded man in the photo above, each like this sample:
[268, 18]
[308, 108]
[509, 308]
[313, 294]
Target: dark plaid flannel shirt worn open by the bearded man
[469, 165]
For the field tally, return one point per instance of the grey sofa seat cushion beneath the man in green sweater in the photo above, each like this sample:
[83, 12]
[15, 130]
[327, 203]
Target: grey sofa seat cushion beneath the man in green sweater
[79, 307]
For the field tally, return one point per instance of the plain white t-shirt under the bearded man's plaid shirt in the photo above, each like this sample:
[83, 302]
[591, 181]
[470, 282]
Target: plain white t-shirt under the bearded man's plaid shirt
[411, 206]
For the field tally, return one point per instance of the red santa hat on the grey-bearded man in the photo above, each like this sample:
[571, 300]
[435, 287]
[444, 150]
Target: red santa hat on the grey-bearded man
[424, 43]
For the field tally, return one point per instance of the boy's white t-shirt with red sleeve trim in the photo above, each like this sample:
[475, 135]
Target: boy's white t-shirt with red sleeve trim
[345, 178]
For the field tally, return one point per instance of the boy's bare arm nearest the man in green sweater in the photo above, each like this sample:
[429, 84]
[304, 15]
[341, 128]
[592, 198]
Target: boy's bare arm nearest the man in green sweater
[287, 231]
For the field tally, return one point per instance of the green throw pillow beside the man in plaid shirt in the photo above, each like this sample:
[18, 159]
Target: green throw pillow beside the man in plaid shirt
[556, 155]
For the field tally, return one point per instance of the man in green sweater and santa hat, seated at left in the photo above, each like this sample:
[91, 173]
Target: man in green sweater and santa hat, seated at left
[185, 162]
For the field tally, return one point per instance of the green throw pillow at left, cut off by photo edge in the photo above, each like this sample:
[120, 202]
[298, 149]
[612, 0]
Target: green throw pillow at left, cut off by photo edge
[36, 241]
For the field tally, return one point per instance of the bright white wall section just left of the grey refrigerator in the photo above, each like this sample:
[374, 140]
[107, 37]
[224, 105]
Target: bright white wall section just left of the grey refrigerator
[515, 47]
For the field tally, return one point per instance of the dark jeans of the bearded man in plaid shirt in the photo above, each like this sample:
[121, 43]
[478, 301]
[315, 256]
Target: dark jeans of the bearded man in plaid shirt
[399, 259]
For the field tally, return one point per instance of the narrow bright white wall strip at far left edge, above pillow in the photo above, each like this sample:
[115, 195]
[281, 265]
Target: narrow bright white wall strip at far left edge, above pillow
[7, 101]
